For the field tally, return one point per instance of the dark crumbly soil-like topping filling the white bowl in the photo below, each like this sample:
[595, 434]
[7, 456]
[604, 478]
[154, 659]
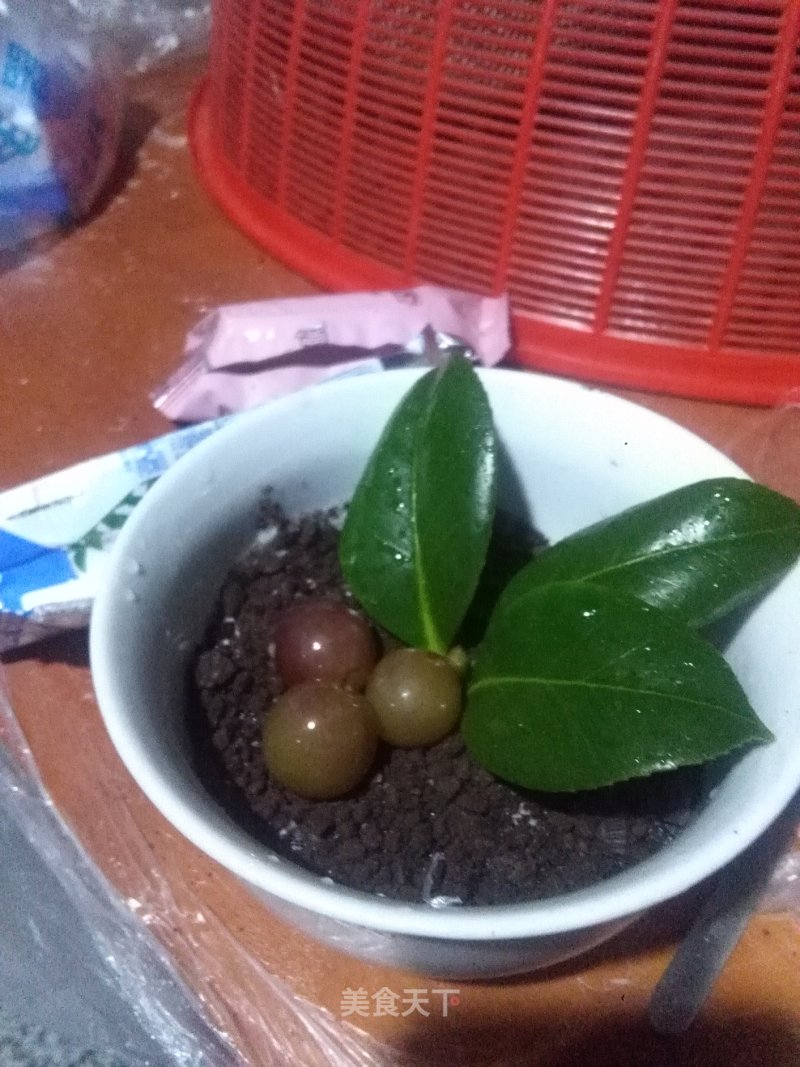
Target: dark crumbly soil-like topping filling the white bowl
[429, 824]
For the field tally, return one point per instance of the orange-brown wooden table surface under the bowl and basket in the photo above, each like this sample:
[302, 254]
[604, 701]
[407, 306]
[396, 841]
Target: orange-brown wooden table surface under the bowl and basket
[88, 329]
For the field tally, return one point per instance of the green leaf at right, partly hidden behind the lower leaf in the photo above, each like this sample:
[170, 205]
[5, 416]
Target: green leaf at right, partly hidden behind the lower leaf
[698, 553]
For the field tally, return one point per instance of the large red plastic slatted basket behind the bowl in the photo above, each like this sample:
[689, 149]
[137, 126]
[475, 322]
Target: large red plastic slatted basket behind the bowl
[629, 170]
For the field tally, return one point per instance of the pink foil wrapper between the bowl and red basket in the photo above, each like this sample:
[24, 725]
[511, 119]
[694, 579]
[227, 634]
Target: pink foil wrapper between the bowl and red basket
[245, 355]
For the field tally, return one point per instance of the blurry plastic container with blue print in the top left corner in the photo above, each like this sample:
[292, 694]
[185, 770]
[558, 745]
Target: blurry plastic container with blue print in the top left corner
[62, 98]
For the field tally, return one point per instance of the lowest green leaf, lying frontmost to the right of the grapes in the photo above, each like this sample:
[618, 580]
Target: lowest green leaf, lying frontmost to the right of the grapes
[578, 687]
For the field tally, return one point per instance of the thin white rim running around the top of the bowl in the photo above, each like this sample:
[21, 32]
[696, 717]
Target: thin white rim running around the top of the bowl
[609, 901]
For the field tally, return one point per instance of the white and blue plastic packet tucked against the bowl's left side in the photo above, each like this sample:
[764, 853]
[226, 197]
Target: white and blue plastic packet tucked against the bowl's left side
[56, 535]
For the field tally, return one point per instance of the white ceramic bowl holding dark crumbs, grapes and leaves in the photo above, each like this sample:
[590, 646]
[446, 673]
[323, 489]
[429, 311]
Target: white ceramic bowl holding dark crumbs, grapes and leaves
[578, 455]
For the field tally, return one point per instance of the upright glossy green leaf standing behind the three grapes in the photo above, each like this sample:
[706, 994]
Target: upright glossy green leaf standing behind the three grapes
[419, 527]
